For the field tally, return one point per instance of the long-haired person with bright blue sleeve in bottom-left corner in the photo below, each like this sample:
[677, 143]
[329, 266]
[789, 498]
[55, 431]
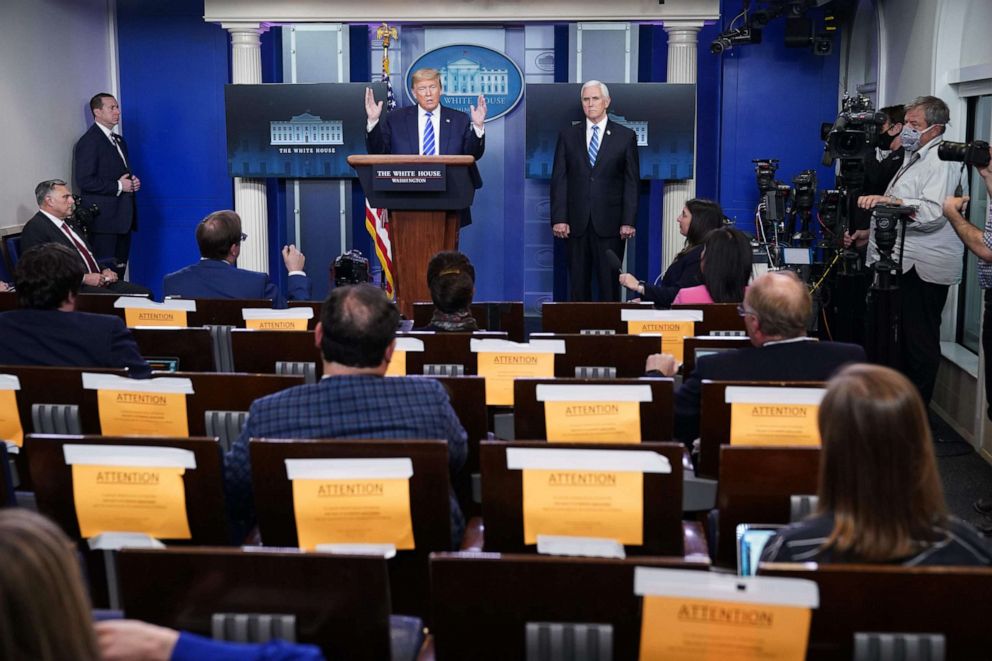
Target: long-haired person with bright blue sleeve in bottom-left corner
[46, 612]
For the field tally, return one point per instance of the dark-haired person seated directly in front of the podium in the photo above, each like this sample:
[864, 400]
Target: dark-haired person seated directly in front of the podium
[451, 278]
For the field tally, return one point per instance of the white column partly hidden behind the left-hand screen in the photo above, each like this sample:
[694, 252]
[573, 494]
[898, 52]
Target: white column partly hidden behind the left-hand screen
[249, 194]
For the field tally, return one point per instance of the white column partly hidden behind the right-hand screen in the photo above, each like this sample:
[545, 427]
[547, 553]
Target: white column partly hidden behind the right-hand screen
[682, 56]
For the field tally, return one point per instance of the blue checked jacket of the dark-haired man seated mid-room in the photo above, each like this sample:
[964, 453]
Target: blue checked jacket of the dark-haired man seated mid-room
[346, 407]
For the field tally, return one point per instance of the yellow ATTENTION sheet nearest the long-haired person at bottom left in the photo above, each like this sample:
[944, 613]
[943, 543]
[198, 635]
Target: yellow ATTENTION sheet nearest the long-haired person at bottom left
[150, 500]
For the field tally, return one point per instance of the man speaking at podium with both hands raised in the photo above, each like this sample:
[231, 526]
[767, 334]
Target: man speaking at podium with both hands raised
[428, 128]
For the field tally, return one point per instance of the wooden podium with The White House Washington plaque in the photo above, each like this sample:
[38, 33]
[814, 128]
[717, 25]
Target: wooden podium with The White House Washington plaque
[424, 212]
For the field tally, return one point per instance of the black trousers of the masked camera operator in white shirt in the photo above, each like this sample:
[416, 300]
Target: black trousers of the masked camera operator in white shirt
[921, 305]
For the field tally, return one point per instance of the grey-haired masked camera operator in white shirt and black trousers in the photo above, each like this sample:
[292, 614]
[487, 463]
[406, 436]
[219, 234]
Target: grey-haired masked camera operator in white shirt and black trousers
[930, 252]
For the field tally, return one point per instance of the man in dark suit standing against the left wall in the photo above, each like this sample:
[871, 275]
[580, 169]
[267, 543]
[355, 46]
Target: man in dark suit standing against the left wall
[103, 177]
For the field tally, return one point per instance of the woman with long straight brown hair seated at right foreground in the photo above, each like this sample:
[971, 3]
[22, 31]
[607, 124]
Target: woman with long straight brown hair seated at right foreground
[880, 496]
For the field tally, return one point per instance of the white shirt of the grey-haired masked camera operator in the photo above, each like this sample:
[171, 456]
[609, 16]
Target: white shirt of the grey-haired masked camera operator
[931, 243]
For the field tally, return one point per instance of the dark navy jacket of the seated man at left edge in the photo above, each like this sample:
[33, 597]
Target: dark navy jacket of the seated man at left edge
[68, 339]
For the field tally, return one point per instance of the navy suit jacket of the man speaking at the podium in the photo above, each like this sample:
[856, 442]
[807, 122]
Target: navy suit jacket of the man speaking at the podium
[397, 132]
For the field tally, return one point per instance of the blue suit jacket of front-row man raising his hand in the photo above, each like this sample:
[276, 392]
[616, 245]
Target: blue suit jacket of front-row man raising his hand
[216, 278]
